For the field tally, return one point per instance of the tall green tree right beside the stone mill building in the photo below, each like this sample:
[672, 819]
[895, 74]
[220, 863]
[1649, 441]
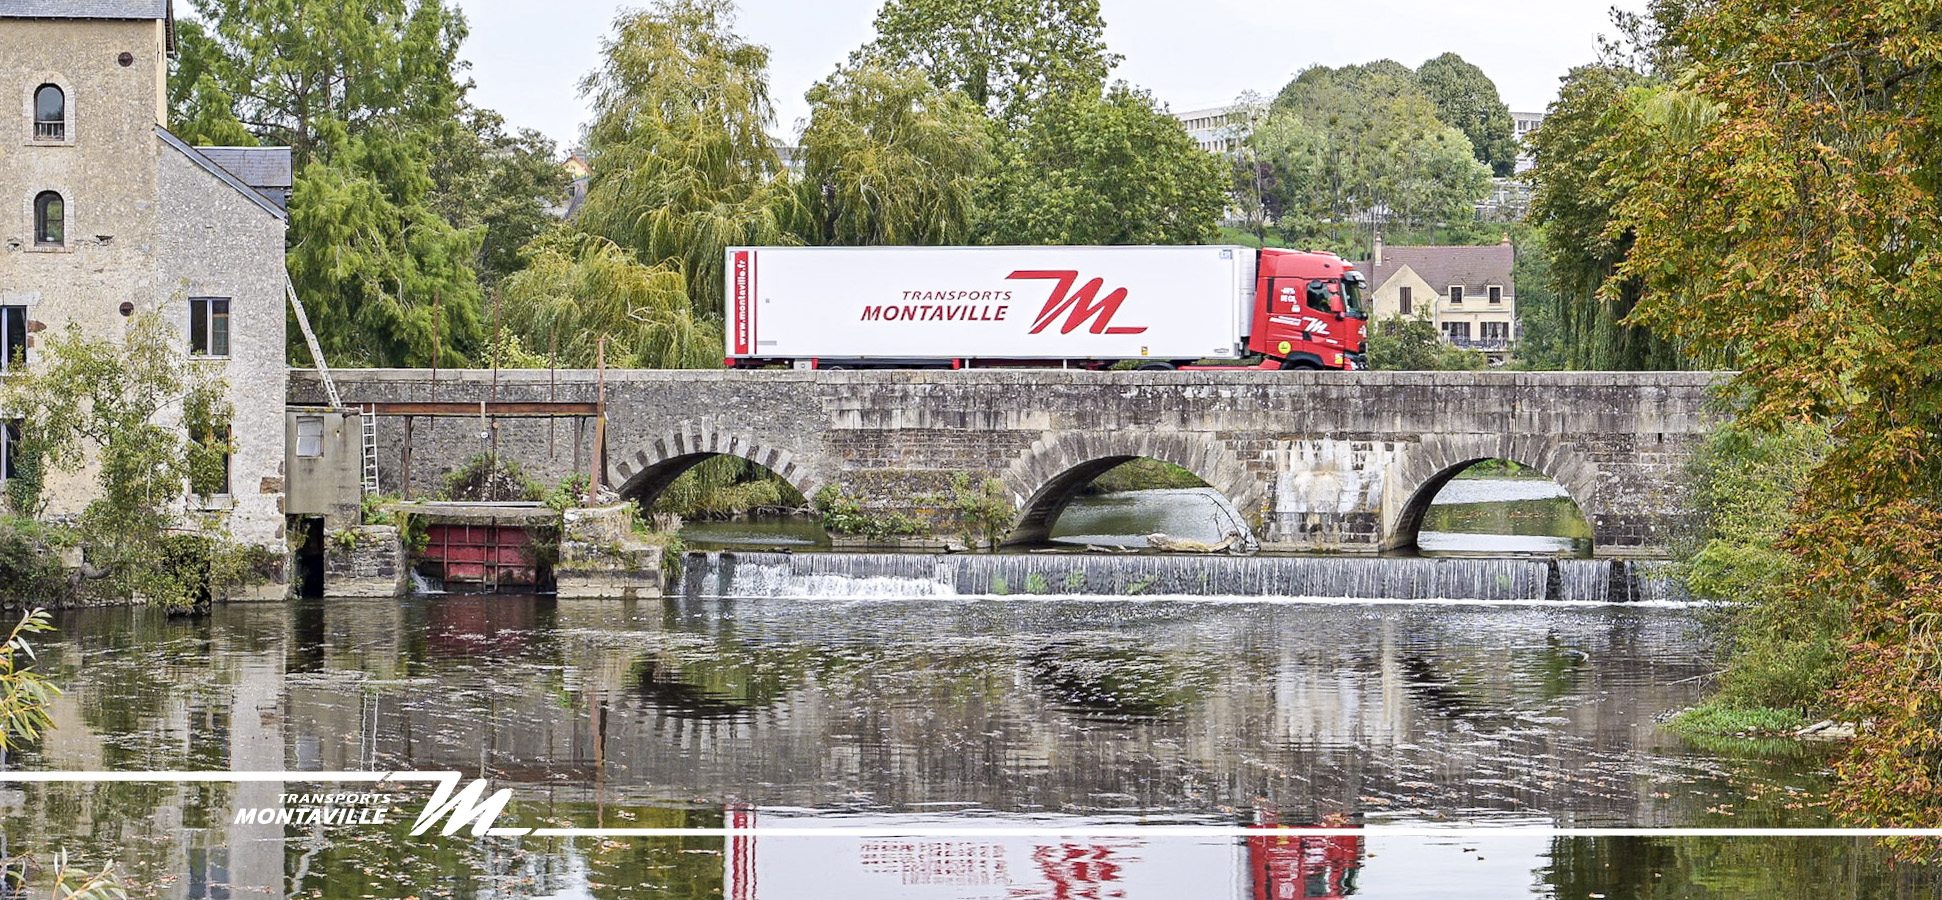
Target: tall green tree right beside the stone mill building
[362, 92]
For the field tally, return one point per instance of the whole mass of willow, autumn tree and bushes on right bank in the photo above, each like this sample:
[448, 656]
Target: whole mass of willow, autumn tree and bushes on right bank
[1751, 186]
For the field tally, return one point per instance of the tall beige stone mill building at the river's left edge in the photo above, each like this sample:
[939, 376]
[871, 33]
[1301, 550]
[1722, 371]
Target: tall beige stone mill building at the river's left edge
[104, 215]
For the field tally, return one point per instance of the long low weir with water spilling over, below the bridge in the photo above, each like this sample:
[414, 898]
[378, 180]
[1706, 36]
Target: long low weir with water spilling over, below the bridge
[1351, 578]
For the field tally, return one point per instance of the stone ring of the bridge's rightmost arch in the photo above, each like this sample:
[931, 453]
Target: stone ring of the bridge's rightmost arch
[1442, 458]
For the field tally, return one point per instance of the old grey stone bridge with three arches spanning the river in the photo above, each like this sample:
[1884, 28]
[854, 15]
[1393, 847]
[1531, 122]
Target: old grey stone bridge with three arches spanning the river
[1314, 460]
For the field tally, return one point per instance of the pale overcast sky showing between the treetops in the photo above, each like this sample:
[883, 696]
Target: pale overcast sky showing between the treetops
[529, 55]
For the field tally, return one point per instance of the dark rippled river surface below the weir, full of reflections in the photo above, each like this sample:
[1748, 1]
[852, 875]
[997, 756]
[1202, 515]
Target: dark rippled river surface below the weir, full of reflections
[923, 712]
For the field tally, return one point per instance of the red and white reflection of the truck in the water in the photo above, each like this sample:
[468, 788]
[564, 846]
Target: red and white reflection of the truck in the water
[1273, 864]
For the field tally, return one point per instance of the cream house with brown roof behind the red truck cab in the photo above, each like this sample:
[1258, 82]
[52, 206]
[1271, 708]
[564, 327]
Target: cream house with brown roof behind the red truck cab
[1467, 293]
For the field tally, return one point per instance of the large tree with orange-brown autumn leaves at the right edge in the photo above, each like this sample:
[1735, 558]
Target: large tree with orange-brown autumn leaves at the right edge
[1788, 219]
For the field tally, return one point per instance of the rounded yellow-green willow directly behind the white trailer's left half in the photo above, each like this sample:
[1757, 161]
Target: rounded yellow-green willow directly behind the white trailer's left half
[892, 160]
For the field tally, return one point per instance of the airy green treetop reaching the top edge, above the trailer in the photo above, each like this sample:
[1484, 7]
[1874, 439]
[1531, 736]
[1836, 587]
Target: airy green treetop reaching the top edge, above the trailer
[1007, 55]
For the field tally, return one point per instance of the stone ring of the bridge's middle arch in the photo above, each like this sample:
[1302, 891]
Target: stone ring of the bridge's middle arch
[1048, 475]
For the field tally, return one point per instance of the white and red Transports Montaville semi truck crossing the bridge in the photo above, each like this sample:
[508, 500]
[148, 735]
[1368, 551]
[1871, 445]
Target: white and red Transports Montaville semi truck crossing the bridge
[1160, 308]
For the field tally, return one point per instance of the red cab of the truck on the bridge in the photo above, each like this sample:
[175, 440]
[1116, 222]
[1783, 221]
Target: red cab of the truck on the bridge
[1310, 312]
